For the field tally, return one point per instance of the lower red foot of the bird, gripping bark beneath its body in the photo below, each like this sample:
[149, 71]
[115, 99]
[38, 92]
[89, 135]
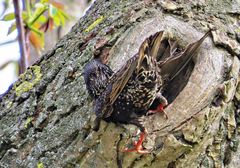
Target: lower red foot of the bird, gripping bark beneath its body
[138, 145]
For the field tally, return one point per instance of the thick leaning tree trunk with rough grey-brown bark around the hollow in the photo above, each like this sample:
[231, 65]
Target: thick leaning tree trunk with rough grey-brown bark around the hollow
[46, 117]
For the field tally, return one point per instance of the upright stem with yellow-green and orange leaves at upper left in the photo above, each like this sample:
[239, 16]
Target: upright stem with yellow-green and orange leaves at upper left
[32, 23]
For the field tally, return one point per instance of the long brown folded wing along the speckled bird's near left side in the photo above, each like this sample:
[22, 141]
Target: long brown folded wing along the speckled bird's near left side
[103, 105]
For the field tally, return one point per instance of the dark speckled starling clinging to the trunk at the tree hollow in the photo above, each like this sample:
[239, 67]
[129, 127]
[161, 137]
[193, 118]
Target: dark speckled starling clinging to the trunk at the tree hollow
[125, 96]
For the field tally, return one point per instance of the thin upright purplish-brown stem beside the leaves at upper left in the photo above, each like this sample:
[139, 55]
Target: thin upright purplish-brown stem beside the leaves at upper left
[21, 36]
